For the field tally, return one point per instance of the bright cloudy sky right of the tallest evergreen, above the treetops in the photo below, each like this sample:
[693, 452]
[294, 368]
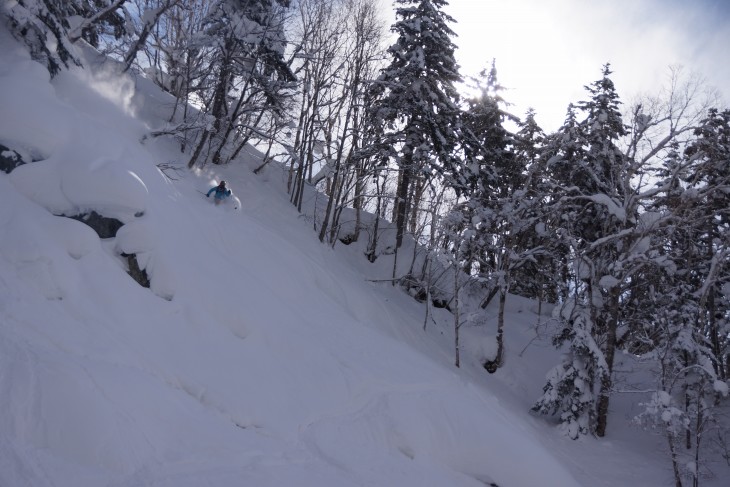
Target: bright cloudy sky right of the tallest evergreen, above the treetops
[546, 51]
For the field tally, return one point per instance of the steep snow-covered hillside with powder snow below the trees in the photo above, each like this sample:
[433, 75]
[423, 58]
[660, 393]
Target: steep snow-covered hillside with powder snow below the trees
[258, 356]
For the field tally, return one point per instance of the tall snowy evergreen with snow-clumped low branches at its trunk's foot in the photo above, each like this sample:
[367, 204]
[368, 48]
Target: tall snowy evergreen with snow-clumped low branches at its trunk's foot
[598, 209]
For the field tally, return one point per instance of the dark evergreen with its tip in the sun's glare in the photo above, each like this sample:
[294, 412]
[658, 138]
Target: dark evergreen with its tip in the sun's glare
[498, 222]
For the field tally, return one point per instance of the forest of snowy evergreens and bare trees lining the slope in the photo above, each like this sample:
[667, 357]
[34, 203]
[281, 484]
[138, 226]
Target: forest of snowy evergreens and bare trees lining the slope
[620, 218]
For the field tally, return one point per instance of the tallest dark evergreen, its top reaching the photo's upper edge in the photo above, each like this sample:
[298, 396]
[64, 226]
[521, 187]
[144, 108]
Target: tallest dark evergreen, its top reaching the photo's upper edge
[416, 102]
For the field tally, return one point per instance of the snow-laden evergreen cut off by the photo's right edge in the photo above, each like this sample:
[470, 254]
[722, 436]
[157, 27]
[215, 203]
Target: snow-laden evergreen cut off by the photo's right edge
[686, 331]
